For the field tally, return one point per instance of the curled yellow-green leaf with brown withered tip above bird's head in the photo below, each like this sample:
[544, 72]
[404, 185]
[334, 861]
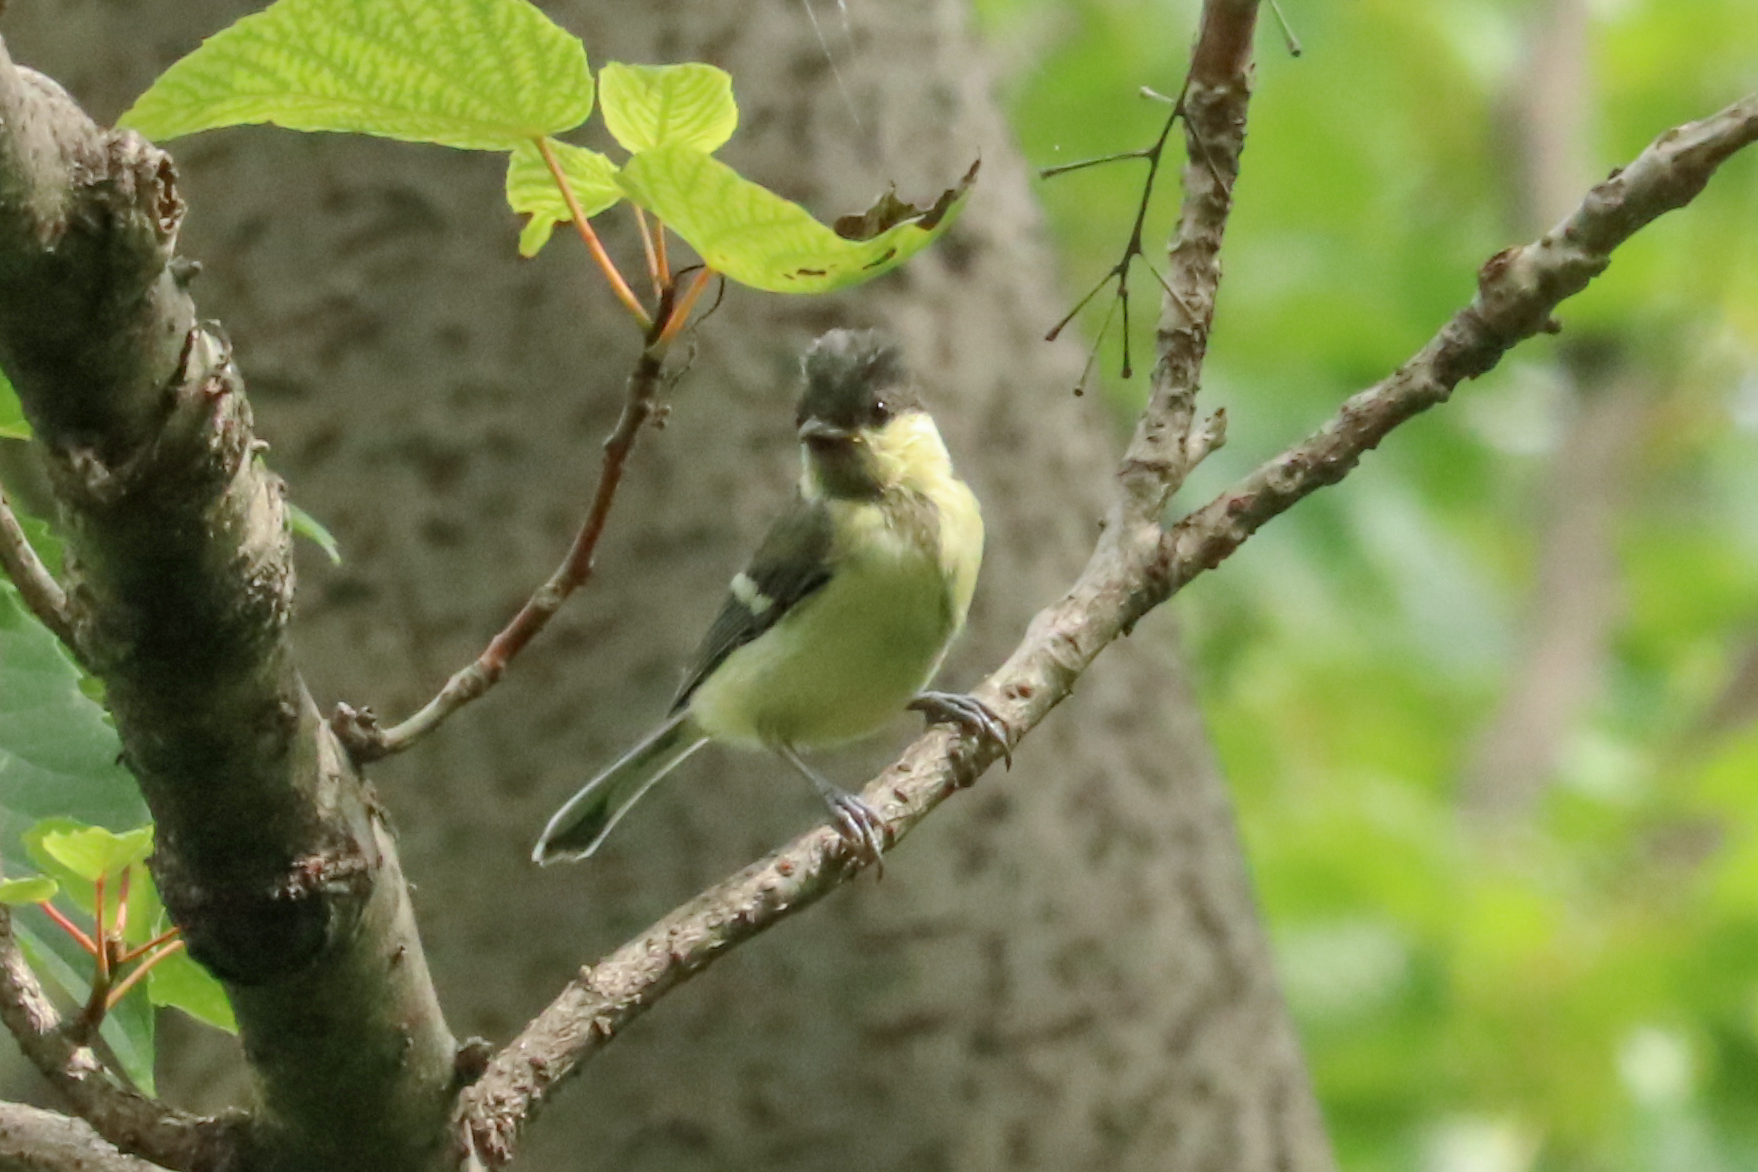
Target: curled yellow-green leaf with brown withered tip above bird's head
[764, 242]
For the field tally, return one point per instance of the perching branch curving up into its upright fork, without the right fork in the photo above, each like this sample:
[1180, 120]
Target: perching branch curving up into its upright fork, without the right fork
[1059, 646]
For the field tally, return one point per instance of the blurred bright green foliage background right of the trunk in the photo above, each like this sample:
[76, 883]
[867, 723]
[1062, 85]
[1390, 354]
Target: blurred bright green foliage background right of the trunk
[1578, 988]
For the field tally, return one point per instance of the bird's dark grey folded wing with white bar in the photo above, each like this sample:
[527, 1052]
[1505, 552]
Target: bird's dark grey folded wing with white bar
[792, 565]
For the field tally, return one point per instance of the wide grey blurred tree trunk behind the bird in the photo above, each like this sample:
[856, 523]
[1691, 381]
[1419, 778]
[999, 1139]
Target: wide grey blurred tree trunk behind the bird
[1064, 971]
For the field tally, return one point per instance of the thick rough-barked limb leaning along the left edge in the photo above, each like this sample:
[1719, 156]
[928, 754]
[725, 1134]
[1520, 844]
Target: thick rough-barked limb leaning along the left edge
[273, 857]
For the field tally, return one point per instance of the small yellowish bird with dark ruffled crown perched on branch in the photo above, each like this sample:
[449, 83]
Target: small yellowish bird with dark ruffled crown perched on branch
[841, 618]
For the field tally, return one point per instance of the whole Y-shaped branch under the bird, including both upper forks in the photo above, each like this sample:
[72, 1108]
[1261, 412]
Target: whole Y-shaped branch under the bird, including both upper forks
[1137, 567]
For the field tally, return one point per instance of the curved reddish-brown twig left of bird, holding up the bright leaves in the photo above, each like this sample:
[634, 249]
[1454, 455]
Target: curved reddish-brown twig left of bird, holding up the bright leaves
[361, 734]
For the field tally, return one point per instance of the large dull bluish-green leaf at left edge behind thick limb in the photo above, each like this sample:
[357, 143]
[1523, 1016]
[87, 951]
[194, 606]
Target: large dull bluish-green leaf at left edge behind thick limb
[59, 753]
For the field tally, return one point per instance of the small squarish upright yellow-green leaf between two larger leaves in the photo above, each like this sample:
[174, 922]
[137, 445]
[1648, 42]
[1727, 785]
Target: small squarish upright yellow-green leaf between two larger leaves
[653, 106]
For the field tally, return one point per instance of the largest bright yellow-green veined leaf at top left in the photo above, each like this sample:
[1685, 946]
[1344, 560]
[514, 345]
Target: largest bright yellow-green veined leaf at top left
[486, 75]
